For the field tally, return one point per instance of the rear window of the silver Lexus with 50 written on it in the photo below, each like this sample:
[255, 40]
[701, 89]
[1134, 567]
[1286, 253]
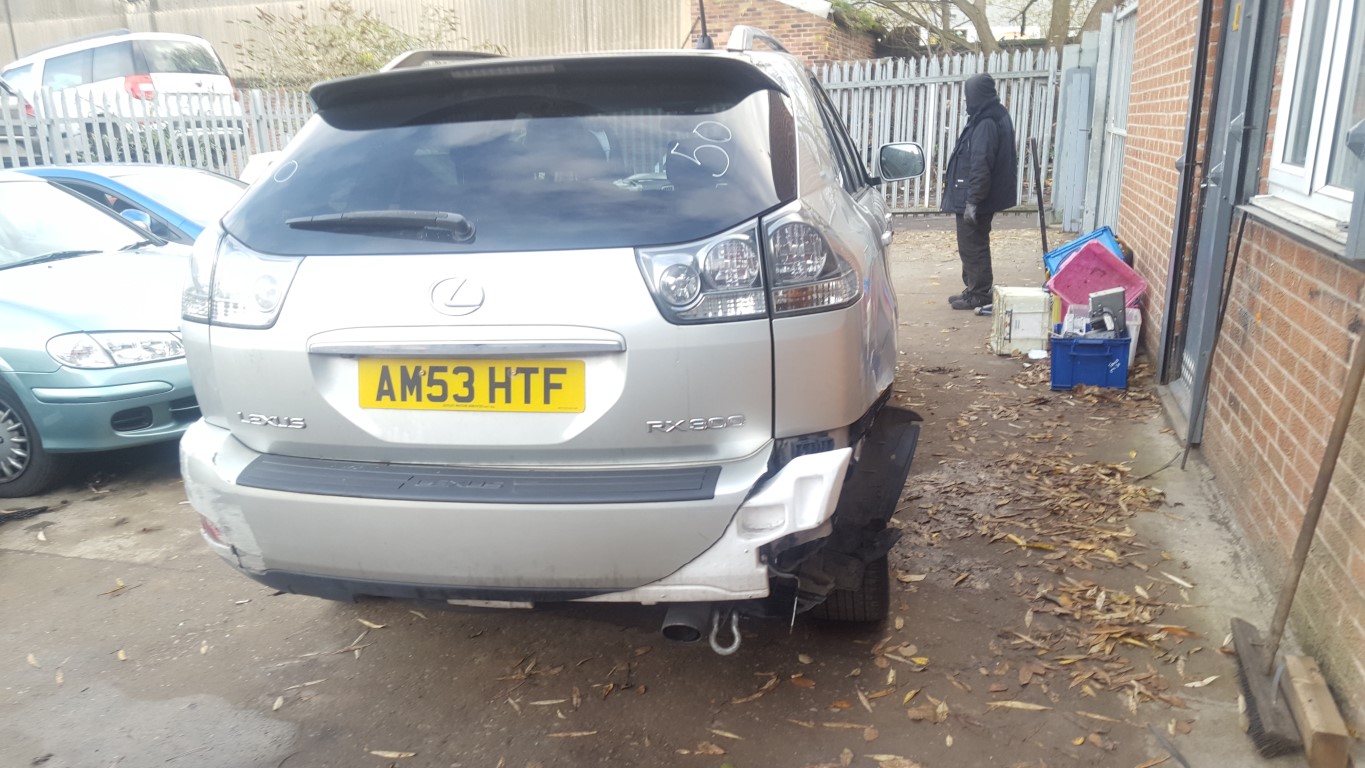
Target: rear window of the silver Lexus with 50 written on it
[538, 166]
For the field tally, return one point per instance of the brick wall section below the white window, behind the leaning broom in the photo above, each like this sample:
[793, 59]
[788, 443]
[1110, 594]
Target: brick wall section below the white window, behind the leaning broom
[1295, 319]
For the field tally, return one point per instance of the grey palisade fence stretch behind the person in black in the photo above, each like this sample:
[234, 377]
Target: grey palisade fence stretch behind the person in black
[922, 100]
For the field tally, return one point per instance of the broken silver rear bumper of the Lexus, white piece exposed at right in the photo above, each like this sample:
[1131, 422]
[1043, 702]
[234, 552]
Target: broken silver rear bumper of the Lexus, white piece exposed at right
[635, 550]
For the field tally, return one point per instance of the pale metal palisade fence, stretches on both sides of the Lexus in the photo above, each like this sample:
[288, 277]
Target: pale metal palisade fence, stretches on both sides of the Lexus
[882, 100]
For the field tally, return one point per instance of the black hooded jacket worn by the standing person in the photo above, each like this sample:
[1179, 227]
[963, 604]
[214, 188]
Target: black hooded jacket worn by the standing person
[985, 166]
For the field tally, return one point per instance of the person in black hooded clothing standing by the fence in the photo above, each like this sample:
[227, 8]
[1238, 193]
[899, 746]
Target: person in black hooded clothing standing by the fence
[982, 179]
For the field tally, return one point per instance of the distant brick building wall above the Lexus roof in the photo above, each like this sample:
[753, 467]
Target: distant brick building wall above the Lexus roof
[810, 38]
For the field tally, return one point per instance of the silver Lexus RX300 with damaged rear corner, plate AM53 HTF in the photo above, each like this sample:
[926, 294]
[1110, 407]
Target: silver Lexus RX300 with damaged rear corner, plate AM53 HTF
[612, 328]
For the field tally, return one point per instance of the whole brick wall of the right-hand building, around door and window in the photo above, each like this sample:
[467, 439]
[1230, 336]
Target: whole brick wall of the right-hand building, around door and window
[1295, 317]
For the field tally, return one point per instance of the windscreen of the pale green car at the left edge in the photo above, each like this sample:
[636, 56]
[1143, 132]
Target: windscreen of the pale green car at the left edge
[40, 222]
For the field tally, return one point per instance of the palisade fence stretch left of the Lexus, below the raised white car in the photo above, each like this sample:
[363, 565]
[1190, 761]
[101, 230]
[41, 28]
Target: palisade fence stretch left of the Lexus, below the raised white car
[212, 132]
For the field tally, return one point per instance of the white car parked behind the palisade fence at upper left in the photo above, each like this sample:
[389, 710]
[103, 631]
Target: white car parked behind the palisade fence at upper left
[124, 83]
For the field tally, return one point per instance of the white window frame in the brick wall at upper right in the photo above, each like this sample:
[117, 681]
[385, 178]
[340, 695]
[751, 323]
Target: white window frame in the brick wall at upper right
[1307, 186]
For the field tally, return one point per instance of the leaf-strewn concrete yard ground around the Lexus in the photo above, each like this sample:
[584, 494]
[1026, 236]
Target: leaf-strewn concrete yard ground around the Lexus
[1063, 598]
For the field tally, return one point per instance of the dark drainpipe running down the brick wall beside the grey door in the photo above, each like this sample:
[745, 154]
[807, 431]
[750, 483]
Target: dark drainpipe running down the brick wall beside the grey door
[1180, 238]
